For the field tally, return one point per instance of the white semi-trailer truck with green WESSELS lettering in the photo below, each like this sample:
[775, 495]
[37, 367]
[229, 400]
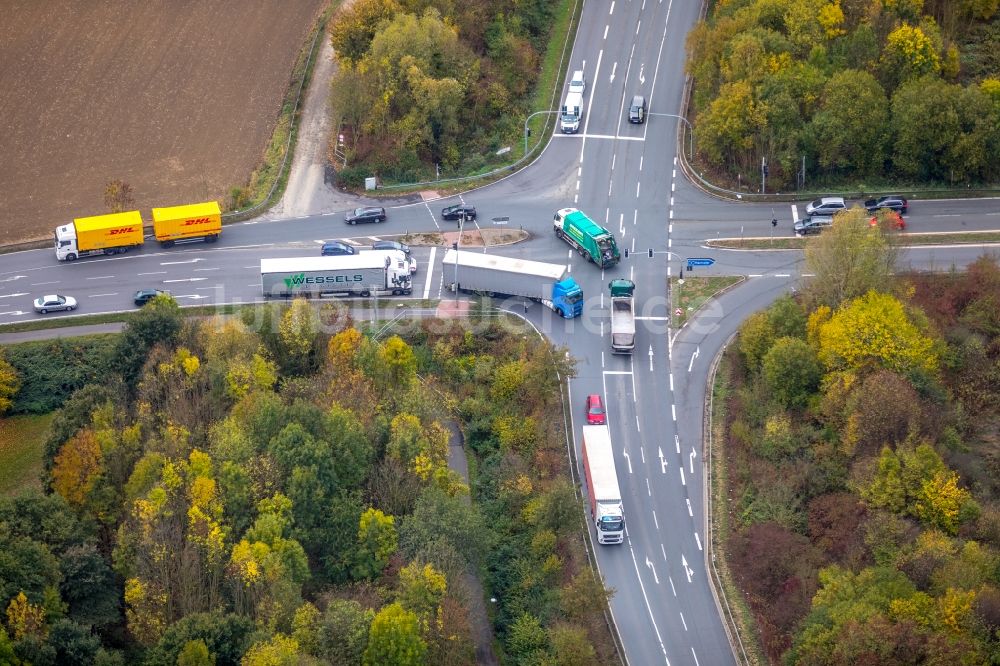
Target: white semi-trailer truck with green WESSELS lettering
[361, 274]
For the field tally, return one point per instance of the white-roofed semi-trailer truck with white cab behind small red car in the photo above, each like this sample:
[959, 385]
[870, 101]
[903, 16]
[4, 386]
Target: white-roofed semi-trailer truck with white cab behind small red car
[602, 485]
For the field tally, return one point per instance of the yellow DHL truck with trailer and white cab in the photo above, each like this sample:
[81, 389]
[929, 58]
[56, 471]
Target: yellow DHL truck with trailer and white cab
[117, 232]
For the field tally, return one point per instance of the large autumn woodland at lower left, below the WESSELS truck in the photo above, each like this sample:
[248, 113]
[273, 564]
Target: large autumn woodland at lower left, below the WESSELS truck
[274, 489]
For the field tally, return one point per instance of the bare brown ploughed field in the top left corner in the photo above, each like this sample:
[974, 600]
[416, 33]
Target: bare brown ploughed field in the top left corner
[178, 99]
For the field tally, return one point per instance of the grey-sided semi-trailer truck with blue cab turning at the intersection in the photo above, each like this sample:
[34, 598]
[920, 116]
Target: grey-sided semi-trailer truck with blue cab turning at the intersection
[493, 275]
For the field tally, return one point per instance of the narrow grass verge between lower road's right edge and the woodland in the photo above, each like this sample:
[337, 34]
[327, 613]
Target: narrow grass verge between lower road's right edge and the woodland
[740, 614]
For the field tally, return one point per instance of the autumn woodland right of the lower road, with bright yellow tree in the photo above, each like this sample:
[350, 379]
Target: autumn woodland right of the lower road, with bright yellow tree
[861, 432]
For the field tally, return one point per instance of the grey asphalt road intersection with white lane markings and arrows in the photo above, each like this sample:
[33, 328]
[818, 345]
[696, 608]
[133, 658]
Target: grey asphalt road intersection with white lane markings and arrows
[625, 177]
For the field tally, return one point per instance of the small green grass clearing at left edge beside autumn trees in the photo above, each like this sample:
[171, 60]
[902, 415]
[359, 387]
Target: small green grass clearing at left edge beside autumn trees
[22, 442]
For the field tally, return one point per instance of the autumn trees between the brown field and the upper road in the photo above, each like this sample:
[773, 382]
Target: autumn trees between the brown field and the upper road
[426, 82]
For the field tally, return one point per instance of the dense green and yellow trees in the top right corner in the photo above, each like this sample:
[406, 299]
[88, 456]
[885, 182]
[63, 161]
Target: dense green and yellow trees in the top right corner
[865, 92]
